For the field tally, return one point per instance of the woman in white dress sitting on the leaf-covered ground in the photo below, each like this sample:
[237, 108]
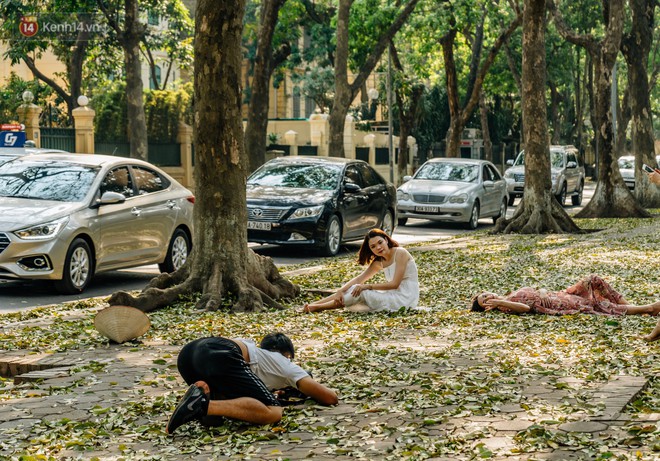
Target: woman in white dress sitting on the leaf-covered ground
[401, 289]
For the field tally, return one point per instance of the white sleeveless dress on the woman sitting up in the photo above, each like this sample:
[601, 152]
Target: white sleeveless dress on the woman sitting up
[407, 295]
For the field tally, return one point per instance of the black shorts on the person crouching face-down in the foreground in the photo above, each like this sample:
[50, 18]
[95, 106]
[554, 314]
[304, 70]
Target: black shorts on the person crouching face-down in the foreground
[220, 364]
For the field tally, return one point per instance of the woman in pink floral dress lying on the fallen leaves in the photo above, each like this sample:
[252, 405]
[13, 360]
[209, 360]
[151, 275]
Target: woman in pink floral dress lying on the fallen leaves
[591, 295]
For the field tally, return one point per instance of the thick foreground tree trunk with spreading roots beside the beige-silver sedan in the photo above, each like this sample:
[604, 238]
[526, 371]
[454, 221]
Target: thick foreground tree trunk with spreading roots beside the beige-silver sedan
[221, 264]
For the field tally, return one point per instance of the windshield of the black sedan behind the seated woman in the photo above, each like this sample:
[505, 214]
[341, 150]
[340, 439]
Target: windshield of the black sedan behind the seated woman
[297, 175]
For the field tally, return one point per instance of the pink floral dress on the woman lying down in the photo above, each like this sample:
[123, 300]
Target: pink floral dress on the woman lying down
[591, 295]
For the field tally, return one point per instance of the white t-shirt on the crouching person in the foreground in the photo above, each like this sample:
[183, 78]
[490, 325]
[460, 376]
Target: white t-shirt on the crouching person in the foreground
[275, 370]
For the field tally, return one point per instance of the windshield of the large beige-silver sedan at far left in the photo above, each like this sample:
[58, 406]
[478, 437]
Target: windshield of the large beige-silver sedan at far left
[62, 182]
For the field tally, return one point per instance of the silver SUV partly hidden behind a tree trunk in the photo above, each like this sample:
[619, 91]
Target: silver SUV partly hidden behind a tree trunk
[566, 174]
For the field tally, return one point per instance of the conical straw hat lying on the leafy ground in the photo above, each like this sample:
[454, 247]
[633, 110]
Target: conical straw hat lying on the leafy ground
[121, 323]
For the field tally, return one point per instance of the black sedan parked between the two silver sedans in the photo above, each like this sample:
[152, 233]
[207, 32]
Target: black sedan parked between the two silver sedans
[317, 201]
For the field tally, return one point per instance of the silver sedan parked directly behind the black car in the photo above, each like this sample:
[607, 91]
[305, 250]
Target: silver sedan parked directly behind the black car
[453, 190]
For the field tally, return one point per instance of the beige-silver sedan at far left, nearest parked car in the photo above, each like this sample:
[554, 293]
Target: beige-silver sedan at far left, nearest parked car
[65, 217]
